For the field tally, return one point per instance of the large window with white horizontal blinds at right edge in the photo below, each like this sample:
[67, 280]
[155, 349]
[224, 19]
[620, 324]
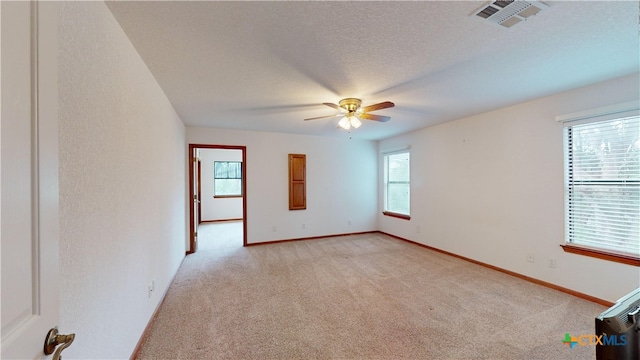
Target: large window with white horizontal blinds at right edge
[602, 178]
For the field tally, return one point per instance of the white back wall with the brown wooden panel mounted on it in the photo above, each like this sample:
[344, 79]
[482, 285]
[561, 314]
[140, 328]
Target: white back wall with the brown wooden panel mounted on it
[341, 183]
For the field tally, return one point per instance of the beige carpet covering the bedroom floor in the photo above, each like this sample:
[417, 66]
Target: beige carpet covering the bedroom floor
[356, 297]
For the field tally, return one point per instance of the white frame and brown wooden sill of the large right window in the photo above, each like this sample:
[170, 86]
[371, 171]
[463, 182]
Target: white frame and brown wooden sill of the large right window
[592, 116]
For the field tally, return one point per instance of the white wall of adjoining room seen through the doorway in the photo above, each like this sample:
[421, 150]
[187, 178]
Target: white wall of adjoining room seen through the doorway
[217, 208]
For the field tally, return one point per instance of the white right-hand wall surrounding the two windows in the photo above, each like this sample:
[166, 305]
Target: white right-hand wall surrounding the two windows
[490, 187]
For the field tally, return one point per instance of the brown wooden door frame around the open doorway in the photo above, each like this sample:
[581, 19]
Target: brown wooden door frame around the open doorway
[192, 191]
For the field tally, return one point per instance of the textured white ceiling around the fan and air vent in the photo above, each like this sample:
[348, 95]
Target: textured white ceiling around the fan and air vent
[268, 65]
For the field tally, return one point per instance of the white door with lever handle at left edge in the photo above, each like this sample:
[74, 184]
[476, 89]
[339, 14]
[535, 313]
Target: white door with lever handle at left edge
[29, 174]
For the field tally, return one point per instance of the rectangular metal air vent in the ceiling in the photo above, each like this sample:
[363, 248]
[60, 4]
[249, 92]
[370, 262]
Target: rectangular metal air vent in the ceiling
[508, 13]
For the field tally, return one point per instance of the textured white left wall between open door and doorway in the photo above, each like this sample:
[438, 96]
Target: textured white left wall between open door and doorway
[122, 185]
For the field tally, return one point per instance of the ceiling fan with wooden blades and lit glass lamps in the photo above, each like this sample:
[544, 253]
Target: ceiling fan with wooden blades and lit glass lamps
[351, 112]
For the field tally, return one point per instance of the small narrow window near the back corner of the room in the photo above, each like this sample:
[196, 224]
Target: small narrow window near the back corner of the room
[397, 184]
